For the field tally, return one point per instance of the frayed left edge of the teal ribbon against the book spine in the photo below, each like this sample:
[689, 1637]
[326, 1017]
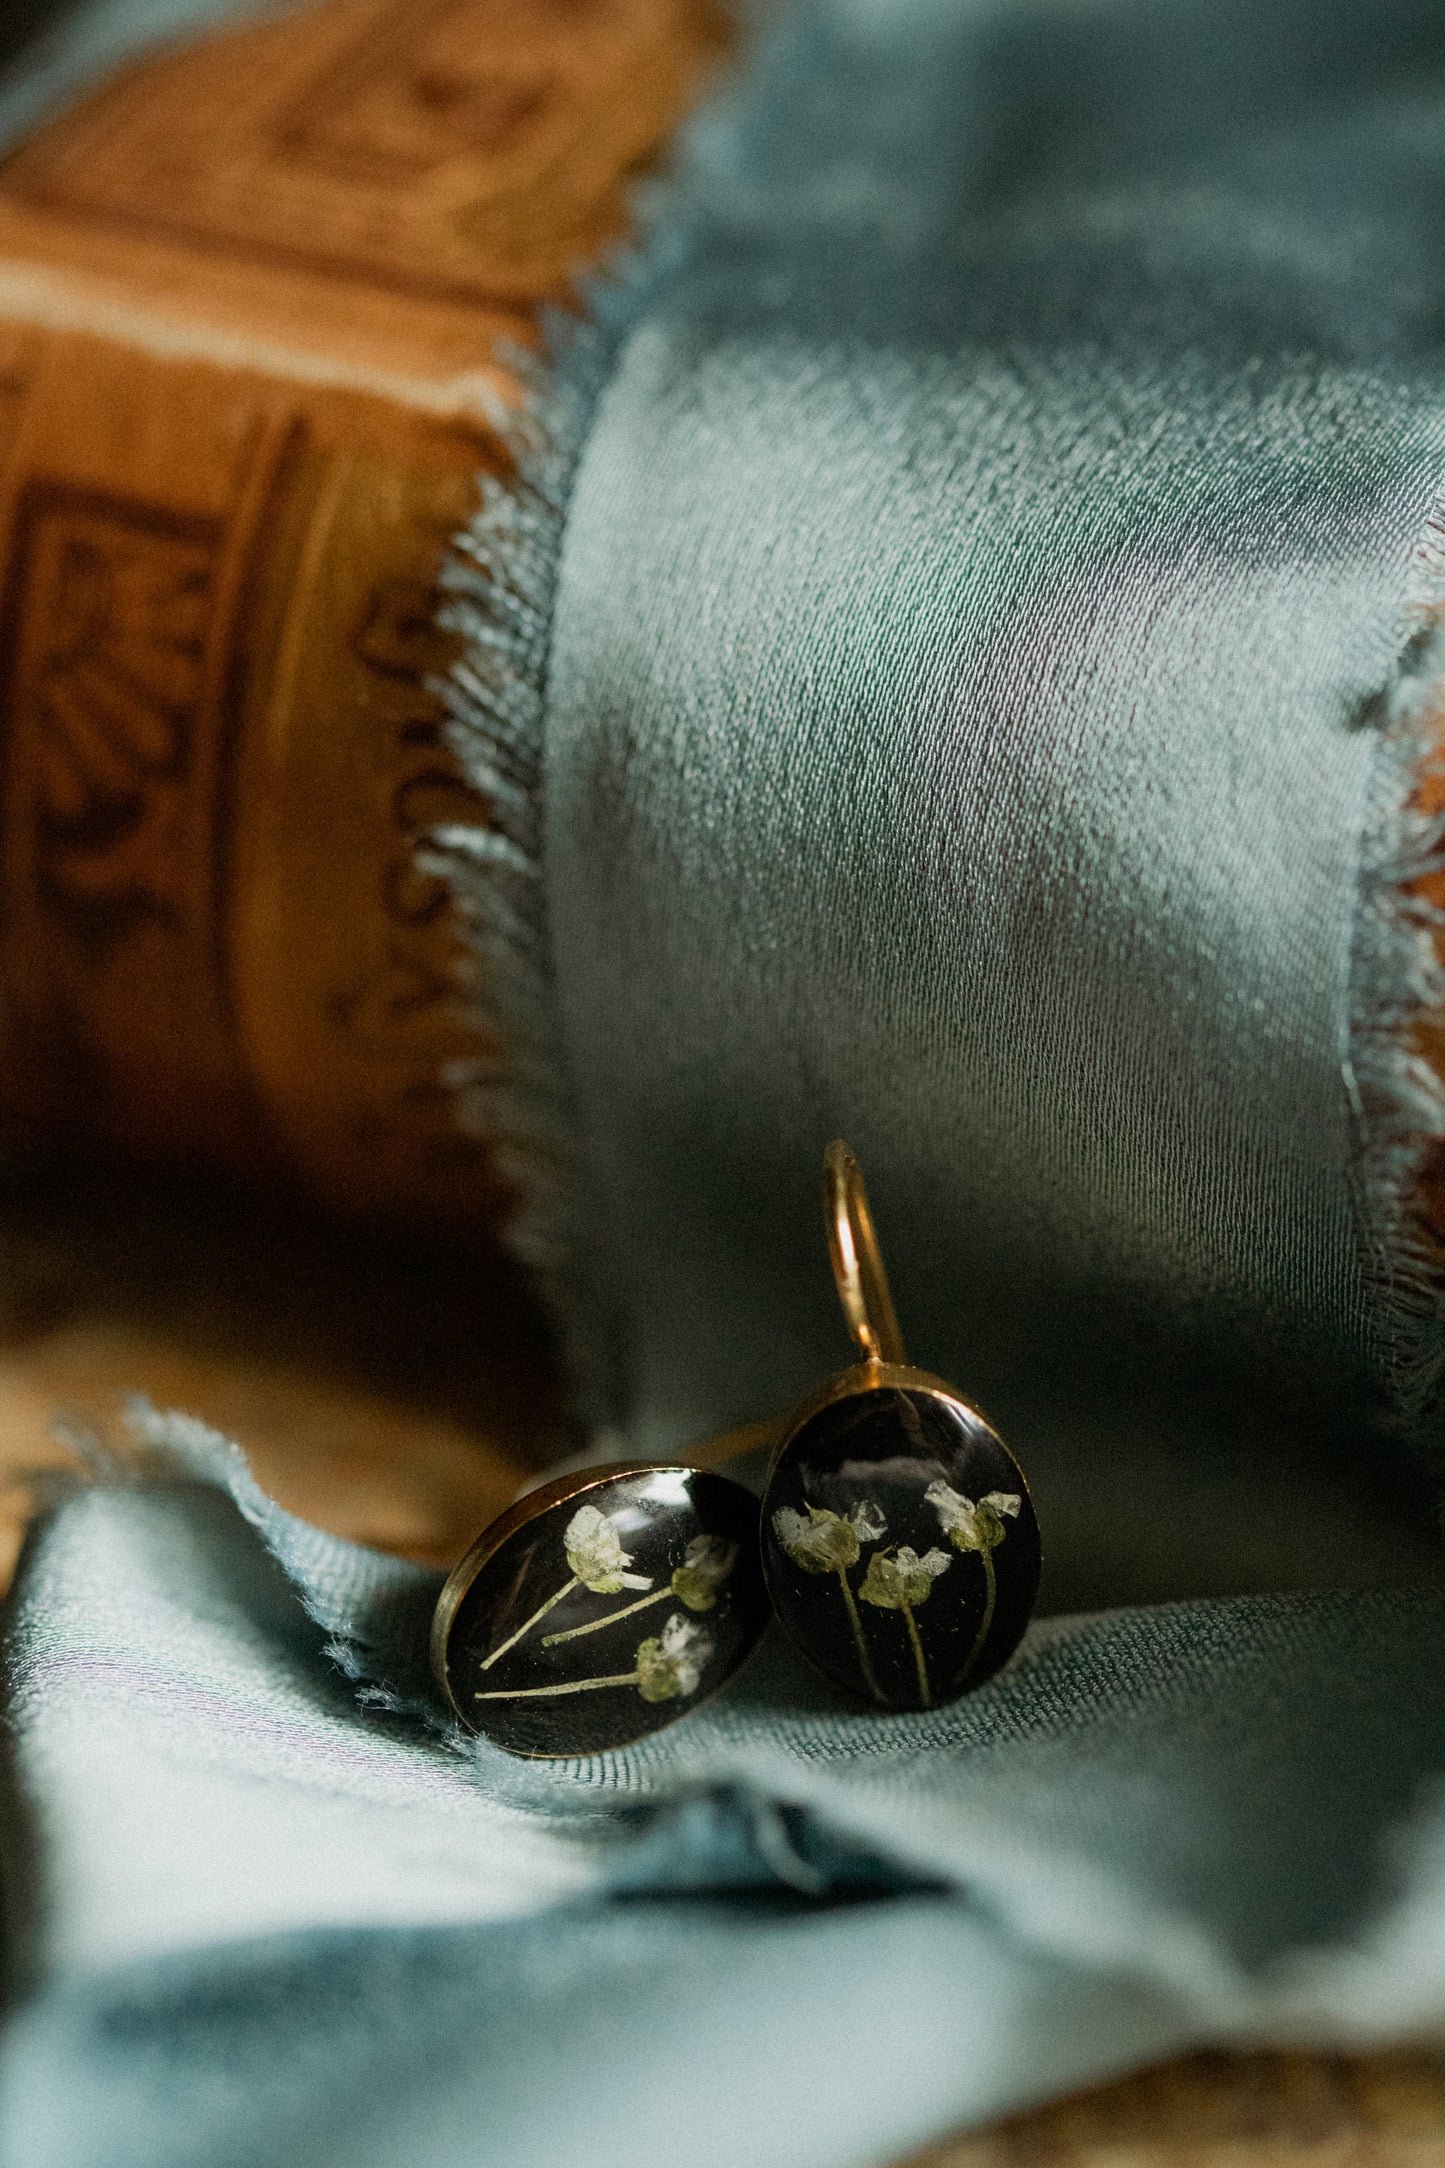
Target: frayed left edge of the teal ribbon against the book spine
[499, 593]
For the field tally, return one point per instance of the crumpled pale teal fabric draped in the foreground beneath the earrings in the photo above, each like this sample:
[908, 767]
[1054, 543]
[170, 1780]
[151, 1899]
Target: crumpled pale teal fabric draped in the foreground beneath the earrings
[274, 1922]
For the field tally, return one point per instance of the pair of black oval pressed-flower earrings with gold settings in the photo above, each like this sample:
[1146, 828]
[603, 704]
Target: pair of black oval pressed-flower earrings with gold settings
[896, 1547]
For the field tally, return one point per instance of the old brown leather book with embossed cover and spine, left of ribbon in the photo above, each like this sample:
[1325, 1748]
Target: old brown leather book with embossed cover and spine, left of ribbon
[252, 296]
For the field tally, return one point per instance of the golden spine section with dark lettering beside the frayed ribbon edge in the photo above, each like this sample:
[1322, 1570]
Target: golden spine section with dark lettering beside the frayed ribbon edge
[343, 959]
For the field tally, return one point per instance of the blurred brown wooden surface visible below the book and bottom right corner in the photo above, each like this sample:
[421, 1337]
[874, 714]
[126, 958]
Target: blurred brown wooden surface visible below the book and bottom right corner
[400, 1397]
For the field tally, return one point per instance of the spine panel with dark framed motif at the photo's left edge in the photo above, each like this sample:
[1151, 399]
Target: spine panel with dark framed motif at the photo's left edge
[122, 606]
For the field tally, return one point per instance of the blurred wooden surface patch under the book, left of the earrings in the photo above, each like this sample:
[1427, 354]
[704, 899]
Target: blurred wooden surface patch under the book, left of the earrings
[391, 1393]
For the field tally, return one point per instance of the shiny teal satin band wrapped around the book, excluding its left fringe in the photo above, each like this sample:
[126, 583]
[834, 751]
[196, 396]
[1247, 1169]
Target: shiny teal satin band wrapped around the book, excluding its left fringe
[985, 688]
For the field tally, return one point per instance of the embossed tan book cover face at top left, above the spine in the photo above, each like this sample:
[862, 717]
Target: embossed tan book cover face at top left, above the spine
[465, 149]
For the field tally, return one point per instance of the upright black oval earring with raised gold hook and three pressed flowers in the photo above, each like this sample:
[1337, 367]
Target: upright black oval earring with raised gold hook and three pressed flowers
[900, 1545]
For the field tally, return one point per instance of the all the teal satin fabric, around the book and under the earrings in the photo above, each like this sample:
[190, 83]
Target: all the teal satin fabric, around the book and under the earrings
[956, 667]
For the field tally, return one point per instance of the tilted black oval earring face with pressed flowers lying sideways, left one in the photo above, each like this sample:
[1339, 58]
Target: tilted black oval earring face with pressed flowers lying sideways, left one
[662, 1573]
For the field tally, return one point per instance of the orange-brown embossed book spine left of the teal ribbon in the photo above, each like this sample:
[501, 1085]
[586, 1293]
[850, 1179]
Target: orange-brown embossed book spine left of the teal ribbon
[220, 749]
